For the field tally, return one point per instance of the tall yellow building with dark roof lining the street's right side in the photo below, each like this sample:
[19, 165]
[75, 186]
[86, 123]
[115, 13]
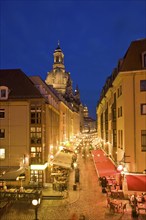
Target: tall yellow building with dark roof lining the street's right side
[121, 110]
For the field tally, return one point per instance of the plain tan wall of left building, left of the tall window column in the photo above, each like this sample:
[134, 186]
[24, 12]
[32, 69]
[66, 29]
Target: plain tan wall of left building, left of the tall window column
[16, 126]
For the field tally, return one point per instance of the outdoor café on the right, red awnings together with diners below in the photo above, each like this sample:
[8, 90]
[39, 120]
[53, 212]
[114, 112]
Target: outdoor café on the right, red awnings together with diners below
[111, 179]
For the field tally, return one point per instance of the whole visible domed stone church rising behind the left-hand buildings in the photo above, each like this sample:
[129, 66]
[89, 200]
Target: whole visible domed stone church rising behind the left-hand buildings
[61, 81]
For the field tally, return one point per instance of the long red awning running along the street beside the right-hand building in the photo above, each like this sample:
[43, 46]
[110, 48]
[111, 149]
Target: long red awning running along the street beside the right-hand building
[103, 164]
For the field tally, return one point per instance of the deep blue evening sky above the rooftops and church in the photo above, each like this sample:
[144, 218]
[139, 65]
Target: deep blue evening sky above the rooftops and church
[93, 36]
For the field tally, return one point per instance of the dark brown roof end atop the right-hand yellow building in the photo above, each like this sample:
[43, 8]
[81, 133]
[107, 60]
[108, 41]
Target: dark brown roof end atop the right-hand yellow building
[133, 57]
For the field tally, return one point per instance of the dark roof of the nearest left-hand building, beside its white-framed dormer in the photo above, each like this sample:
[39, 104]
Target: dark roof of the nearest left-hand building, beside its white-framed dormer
[19, 85]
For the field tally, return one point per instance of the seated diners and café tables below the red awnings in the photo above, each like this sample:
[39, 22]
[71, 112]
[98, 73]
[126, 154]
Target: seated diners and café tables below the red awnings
[116, 201]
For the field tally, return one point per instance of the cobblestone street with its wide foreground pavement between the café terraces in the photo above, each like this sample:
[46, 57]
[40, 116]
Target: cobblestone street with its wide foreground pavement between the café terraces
[88, 200]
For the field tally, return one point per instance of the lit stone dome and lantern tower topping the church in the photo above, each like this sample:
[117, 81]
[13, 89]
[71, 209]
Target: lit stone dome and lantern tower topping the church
[58, 77]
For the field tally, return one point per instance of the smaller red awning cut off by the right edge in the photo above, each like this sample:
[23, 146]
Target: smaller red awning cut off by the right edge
[136, 182]
